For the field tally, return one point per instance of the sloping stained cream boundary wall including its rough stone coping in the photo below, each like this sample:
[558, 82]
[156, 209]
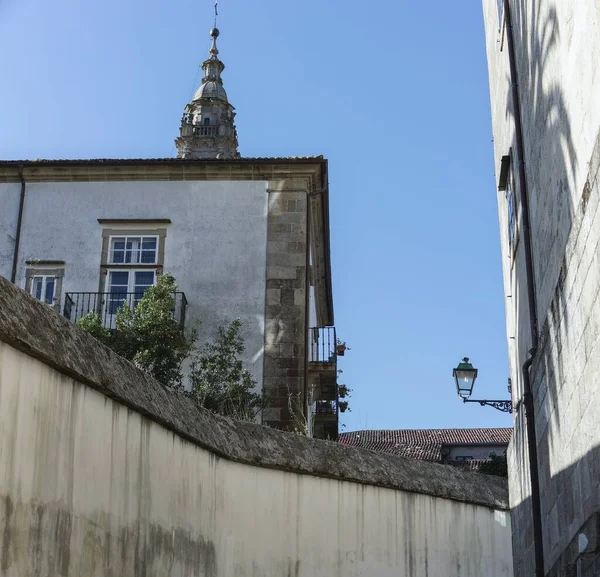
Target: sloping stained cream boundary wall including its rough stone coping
[107, 473]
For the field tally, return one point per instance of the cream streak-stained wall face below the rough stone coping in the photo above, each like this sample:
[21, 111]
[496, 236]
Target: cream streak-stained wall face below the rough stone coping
[90, 488]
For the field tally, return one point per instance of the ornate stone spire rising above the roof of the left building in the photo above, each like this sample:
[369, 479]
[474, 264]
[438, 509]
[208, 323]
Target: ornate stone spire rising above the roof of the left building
[207, 127]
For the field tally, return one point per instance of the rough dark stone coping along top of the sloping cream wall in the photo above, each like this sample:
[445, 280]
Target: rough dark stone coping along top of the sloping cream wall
[35, 329]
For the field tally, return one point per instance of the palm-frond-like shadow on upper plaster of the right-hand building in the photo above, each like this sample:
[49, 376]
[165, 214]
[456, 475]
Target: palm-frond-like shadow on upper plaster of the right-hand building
[551, 167]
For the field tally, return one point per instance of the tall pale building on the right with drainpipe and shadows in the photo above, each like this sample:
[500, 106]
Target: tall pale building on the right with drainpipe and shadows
[545, 102]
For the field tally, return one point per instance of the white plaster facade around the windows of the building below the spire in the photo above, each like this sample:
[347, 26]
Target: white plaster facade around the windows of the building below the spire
[215, 245]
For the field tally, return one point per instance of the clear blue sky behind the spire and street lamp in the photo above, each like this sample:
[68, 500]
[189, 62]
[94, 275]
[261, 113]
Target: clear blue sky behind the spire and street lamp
[393, 93]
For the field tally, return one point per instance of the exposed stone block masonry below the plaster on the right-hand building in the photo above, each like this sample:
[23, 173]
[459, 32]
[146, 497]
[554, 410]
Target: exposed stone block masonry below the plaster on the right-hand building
[567, 404]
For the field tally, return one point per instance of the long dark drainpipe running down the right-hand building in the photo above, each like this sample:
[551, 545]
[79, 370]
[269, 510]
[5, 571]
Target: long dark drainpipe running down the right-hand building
[538, 543]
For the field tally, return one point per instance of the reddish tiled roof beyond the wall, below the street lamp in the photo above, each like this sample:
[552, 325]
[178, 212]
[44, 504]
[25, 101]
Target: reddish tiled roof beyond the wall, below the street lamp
[424, 444]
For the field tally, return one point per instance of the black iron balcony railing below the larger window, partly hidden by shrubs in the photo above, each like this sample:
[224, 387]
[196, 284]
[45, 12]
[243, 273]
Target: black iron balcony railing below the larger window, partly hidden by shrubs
[106, 305]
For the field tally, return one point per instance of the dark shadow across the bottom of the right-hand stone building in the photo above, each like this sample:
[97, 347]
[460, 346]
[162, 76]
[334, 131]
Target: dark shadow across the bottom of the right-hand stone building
[571, 525]
